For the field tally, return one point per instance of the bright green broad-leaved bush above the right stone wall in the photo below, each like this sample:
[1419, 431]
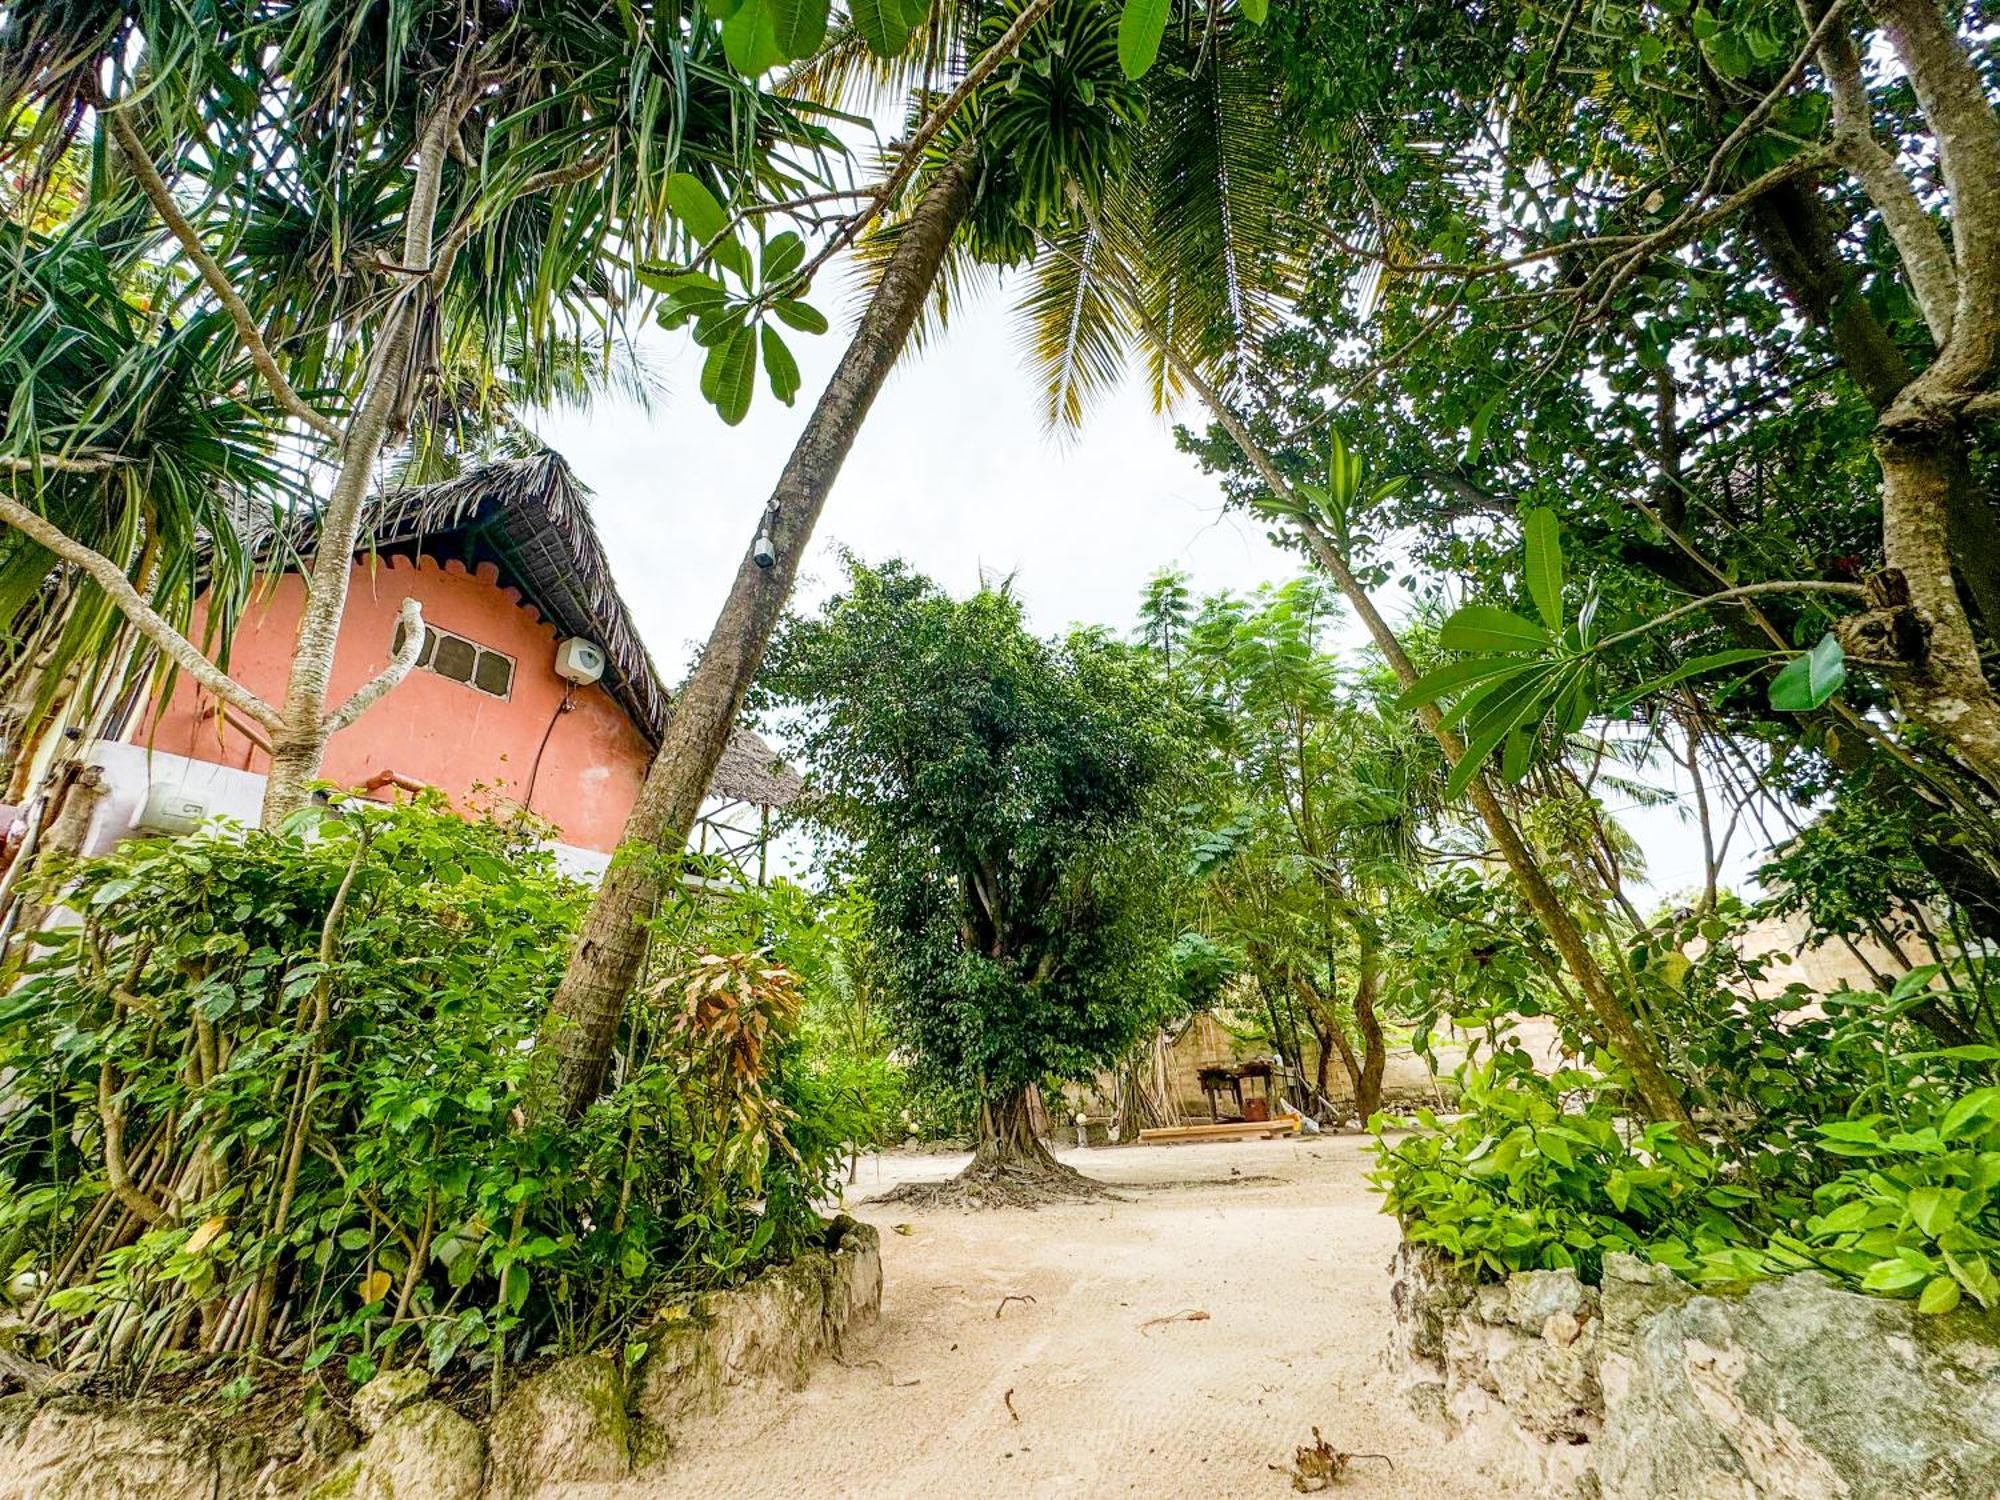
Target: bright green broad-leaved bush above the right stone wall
[1547, 1171]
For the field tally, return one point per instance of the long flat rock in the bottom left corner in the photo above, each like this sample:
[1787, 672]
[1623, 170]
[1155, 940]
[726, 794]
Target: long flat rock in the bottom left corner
[77, 1451]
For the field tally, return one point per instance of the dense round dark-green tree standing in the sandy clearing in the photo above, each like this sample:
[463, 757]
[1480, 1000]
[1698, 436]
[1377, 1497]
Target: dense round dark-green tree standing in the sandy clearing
[1011, 805]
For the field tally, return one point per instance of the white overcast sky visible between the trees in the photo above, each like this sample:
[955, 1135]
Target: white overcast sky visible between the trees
[953, 473]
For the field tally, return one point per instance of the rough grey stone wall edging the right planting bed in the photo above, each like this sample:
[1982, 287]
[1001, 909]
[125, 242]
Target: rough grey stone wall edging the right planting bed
[1647, 1389]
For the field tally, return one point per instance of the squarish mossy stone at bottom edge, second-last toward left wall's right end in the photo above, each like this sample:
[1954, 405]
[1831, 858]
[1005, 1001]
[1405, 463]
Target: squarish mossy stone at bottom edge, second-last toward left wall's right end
[561, 1425]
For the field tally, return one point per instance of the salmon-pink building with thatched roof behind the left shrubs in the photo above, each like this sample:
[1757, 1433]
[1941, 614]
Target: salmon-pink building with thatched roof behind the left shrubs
[507, 567]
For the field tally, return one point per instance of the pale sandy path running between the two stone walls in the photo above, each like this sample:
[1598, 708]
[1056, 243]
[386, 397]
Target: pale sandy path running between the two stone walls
[1279, 1243]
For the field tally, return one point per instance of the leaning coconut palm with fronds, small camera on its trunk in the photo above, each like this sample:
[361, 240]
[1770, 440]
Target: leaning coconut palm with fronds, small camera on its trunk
[1045, 155]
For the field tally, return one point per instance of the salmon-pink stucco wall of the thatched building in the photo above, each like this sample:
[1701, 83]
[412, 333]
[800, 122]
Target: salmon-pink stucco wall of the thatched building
[449, 735]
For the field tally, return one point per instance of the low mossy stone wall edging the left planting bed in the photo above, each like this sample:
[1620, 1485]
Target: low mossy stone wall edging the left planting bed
[575, 1421]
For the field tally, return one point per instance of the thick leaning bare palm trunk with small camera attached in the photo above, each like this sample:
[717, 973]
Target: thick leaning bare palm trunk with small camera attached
[605, 963]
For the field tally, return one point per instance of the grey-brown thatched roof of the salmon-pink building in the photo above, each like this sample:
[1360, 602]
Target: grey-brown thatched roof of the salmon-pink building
[531, 519]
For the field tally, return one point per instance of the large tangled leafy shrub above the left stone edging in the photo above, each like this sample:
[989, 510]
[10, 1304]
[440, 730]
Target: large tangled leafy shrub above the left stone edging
[277, 1093]
